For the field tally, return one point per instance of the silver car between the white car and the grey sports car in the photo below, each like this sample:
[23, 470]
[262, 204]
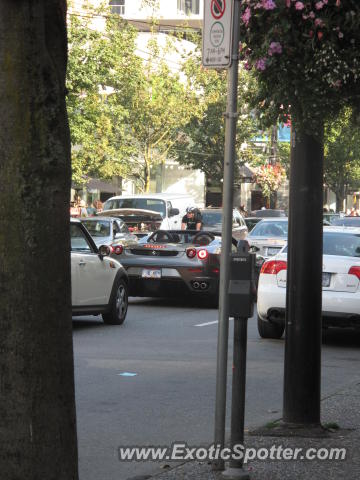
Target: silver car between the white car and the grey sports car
[108, 231]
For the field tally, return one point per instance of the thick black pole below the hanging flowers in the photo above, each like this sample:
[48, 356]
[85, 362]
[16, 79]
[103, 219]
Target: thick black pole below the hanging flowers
[304, 285]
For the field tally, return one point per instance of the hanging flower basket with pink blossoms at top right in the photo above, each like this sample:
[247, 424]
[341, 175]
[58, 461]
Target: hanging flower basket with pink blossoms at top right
[305, 55]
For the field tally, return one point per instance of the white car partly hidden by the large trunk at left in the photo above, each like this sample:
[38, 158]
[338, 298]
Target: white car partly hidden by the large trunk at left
[99, 283]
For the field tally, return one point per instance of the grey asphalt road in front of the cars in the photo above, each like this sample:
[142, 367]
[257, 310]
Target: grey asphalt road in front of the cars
[172, 349]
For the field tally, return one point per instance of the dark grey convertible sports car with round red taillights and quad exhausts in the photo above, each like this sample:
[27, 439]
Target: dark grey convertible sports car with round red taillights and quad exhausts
[174, 263]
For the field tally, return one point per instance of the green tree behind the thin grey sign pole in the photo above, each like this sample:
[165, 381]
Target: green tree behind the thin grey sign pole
[201, 143]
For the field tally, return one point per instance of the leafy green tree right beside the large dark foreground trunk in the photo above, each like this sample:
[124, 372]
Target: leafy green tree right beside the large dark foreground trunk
[103, 76]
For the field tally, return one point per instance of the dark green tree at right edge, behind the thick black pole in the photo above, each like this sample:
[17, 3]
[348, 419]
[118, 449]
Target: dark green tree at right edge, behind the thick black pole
[342, 155]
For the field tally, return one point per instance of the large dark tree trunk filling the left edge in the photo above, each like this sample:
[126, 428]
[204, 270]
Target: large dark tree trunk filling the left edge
[37, 408]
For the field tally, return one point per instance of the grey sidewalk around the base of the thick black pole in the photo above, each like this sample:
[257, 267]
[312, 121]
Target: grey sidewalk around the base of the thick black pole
[341, 409]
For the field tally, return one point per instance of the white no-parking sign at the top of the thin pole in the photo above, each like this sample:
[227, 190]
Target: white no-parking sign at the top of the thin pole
[217, 33]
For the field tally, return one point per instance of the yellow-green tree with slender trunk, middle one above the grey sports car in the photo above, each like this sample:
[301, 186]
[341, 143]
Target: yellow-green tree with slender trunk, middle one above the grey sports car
[162, 107]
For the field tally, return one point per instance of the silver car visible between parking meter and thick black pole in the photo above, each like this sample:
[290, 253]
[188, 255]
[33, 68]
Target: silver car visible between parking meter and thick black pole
[269, 236]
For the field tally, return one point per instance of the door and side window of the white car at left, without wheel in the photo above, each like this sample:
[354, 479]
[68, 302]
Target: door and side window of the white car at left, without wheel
[91, 277]
